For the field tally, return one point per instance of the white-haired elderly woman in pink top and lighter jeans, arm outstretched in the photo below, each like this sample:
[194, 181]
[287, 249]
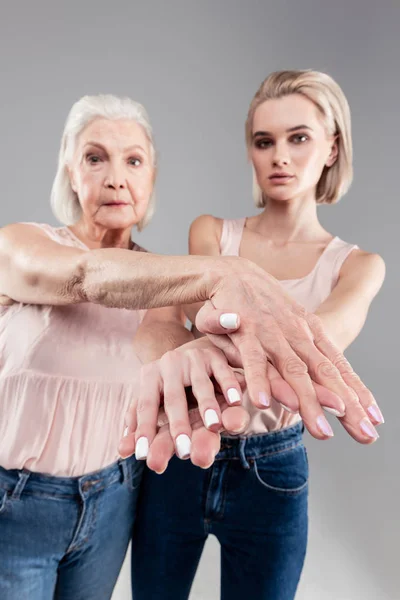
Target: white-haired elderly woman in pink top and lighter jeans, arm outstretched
[73, 298]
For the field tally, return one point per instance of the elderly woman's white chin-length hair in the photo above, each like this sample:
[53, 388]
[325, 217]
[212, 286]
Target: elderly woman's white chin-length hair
[64, 201]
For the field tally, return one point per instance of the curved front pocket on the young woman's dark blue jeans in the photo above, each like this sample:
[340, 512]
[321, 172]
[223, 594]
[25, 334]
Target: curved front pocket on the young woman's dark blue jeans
[284, 473]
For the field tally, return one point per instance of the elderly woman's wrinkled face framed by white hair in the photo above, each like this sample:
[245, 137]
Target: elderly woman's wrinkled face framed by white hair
[112, 172]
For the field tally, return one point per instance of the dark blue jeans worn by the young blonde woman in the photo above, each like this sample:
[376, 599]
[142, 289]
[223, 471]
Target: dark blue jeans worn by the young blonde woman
[253, 499]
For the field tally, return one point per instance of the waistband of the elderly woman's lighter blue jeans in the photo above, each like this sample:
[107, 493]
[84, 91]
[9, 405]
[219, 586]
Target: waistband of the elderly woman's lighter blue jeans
[15, 481]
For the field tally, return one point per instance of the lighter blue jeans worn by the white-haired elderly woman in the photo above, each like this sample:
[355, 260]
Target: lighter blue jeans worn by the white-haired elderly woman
[65, 537]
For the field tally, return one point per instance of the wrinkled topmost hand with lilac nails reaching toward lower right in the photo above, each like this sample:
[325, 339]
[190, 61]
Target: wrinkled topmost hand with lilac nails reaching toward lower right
[273, 327]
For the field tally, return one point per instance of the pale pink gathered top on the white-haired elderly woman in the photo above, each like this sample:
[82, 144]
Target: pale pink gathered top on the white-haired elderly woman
[66, 380]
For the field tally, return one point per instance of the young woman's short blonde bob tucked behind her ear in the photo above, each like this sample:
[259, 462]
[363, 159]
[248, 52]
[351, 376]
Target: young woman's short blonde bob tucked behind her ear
[329, 98]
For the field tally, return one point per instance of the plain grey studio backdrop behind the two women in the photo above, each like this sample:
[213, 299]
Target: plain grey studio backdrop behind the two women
[195, 66]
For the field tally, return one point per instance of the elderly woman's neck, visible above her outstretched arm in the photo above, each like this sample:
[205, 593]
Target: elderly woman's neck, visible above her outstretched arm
[94, 236]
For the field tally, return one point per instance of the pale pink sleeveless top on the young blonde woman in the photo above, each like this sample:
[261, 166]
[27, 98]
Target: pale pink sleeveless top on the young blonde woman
[309, 291]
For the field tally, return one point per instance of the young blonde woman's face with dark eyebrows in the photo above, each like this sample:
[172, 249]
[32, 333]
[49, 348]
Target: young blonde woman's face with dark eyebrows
[290, 147]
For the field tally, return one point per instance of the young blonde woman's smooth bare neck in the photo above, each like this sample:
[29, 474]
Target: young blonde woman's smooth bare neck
[293, 220]
